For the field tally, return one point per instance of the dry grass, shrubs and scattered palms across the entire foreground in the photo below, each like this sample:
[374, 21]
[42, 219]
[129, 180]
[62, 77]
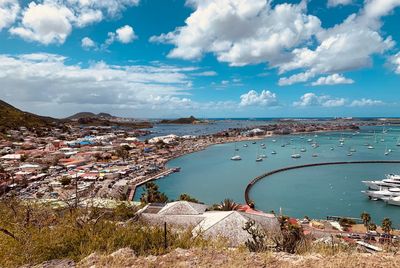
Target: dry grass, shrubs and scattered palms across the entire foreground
[32, 233]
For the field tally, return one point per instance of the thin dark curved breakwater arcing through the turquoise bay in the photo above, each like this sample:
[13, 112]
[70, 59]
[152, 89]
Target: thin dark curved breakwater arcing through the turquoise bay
[258, 178]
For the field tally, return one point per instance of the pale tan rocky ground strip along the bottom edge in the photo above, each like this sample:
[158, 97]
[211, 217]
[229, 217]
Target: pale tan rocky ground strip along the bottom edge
[227, 258]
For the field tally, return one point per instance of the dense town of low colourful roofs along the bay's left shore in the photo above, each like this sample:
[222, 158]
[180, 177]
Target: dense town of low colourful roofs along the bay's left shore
[107, 162]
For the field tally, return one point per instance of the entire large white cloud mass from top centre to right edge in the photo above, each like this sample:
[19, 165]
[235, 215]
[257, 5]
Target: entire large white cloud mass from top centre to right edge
[284, 36]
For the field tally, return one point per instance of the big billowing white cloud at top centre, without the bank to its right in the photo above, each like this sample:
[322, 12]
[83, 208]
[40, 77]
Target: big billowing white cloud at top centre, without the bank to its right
[241, 32]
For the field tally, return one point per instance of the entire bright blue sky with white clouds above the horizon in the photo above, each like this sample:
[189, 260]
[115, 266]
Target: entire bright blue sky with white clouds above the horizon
[207, 58]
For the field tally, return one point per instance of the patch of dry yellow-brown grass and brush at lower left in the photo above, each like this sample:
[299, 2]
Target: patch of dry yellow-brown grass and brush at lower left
[33, 233]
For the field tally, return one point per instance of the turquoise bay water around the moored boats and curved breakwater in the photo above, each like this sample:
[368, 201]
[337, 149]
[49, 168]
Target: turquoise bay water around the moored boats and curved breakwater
[211, 176]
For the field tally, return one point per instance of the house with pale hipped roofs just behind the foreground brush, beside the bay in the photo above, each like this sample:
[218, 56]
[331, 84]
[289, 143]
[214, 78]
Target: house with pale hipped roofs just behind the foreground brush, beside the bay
[211, 224]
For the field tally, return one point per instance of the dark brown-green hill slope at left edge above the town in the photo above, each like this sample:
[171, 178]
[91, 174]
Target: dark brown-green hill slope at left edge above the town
[11, 117]
